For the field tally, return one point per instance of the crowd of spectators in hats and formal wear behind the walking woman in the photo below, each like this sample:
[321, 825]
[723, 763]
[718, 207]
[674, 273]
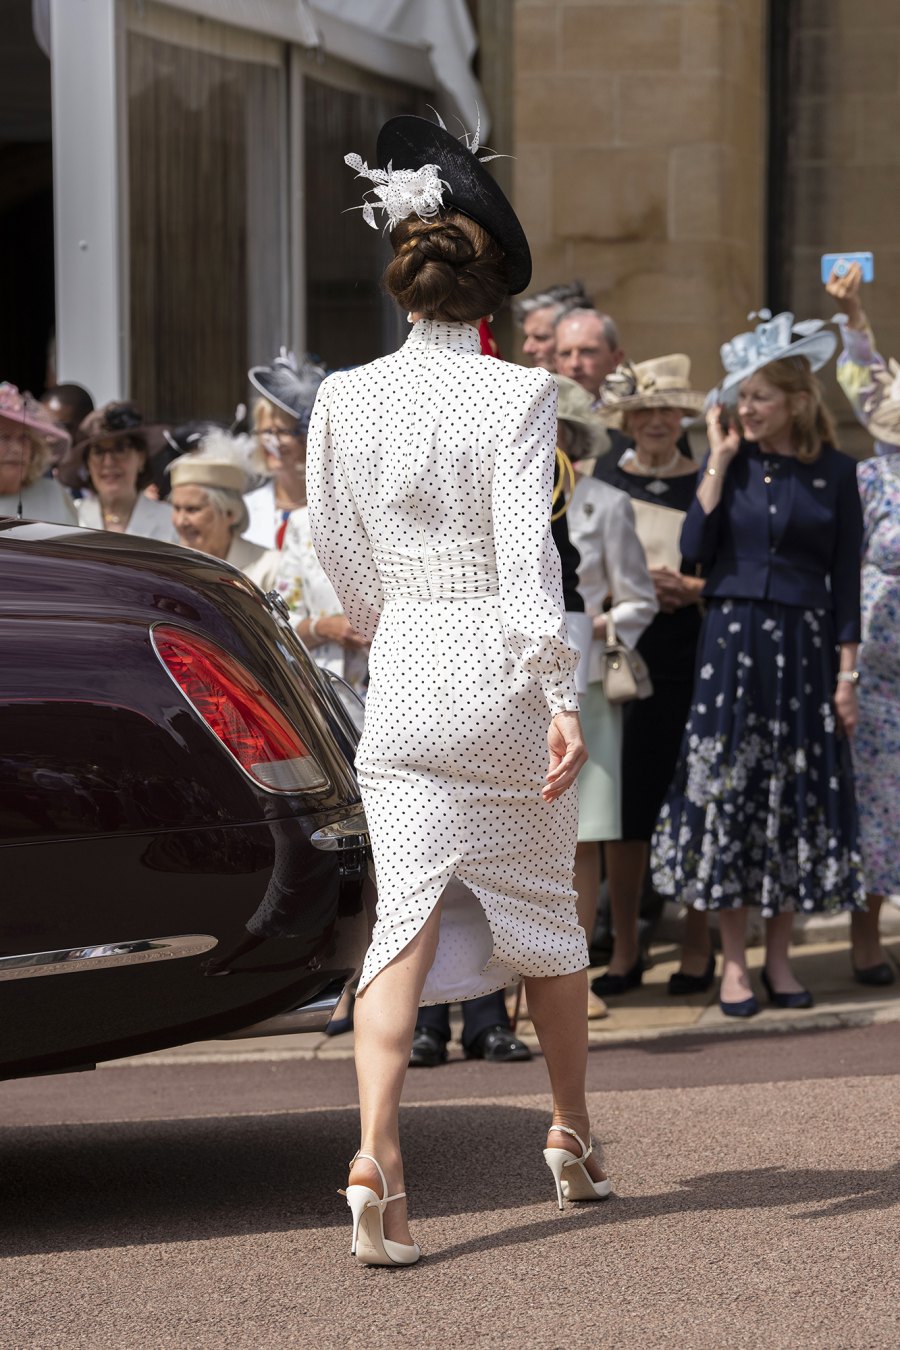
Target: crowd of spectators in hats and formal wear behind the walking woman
[756, 584]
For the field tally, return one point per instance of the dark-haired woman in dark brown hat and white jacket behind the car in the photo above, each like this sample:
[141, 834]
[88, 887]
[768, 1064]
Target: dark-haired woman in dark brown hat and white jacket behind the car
[115, 446]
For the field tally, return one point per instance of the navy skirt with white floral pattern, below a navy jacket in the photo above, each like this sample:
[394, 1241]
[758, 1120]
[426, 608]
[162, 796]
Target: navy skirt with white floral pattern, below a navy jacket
[762, 809]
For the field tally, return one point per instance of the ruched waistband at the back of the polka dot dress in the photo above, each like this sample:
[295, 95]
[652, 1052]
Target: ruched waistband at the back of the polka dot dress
[449, 572]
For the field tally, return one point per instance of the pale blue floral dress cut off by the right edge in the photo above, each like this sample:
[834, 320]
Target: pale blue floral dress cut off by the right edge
[876, 749]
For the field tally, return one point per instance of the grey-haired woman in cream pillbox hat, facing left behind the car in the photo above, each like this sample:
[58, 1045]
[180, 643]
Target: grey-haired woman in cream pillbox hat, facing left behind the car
[208, 507]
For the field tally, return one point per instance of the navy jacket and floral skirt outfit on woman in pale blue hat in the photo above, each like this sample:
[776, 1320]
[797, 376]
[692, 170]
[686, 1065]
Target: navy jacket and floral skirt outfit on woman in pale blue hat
[762, 809]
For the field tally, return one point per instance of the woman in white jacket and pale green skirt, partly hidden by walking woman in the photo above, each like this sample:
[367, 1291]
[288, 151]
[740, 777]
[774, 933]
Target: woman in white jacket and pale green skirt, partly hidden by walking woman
[616, 587]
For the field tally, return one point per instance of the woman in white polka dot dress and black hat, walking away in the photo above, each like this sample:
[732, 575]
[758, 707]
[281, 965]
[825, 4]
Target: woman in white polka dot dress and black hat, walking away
[430, 483]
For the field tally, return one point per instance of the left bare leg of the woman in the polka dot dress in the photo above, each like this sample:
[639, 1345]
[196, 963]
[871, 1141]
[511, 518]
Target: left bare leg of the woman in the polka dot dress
[385, 1021]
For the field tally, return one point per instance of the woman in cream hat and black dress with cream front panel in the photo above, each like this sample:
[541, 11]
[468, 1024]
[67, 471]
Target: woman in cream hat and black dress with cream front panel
[650, 403]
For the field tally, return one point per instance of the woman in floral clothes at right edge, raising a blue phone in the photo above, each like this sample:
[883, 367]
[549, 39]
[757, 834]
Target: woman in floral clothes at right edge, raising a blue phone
[872, 387]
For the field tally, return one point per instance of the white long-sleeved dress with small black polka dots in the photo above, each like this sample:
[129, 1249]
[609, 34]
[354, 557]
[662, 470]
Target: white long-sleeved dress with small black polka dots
[430, 481]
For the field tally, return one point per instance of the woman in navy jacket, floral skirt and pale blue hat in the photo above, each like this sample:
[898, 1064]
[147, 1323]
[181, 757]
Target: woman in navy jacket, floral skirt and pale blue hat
[762, 811]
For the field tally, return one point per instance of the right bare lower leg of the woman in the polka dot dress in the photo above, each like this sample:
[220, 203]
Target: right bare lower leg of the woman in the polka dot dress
[557, 1008]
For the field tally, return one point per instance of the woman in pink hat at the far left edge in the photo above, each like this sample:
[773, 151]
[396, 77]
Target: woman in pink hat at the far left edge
[28, 434]
